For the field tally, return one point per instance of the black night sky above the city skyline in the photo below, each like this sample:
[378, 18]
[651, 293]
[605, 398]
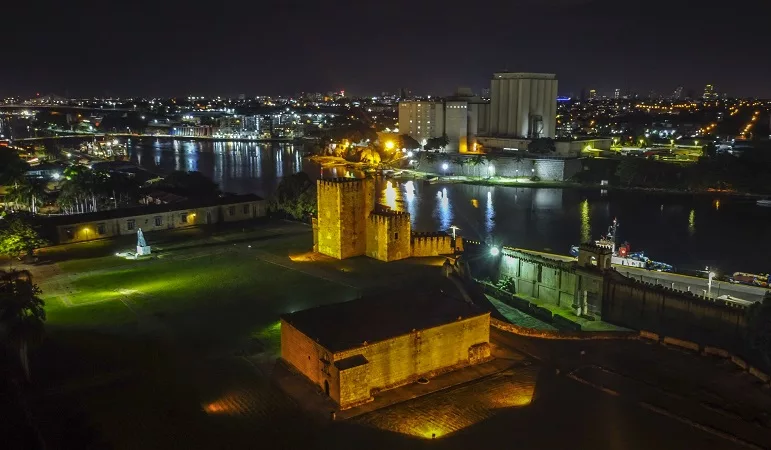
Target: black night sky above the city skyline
[170, 48]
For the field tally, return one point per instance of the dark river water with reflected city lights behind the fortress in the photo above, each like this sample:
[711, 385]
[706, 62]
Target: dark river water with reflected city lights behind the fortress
[691, 232]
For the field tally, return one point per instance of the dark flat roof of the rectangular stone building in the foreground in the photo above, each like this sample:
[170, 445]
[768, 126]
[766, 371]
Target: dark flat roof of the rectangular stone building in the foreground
[346, 325]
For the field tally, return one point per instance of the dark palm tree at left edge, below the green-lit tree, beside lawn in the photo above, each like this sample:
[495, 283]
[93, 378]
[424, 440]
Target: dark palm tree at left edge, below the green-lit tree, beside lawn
[22, 314]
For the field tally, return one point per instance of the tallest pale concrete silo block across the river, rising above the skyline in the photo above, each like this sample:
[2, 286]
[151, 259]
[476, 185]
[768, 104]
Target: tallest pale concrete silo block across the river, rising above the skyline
[523, 105]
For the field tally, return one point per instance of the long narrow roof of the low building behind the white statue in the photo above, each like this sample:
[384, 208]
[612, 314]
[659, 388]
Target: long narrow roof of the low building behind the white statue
[71, 219]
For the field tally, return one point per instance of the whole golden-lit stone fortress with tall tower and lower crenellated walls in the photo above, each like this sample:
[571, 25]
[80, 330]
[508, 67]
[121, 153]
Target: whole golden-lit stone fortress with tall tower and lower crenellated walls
[349, 223]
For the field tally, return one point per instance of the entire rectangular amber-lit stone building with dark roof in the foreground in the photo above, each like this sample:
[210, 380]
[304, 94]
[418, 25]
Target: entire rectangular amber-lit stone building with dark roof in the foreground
[352, 350]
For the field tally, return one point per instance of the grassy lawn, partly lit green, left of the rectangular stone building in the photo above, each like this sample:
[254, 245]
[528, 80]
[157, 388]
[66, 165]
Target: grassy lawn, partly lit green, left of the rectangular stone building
[159, 352]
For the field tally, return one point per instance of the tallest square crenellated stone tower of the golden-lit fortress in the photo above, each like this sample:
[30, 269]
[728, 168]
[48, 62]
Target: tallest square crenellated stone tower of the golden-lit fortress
[344, 205]
